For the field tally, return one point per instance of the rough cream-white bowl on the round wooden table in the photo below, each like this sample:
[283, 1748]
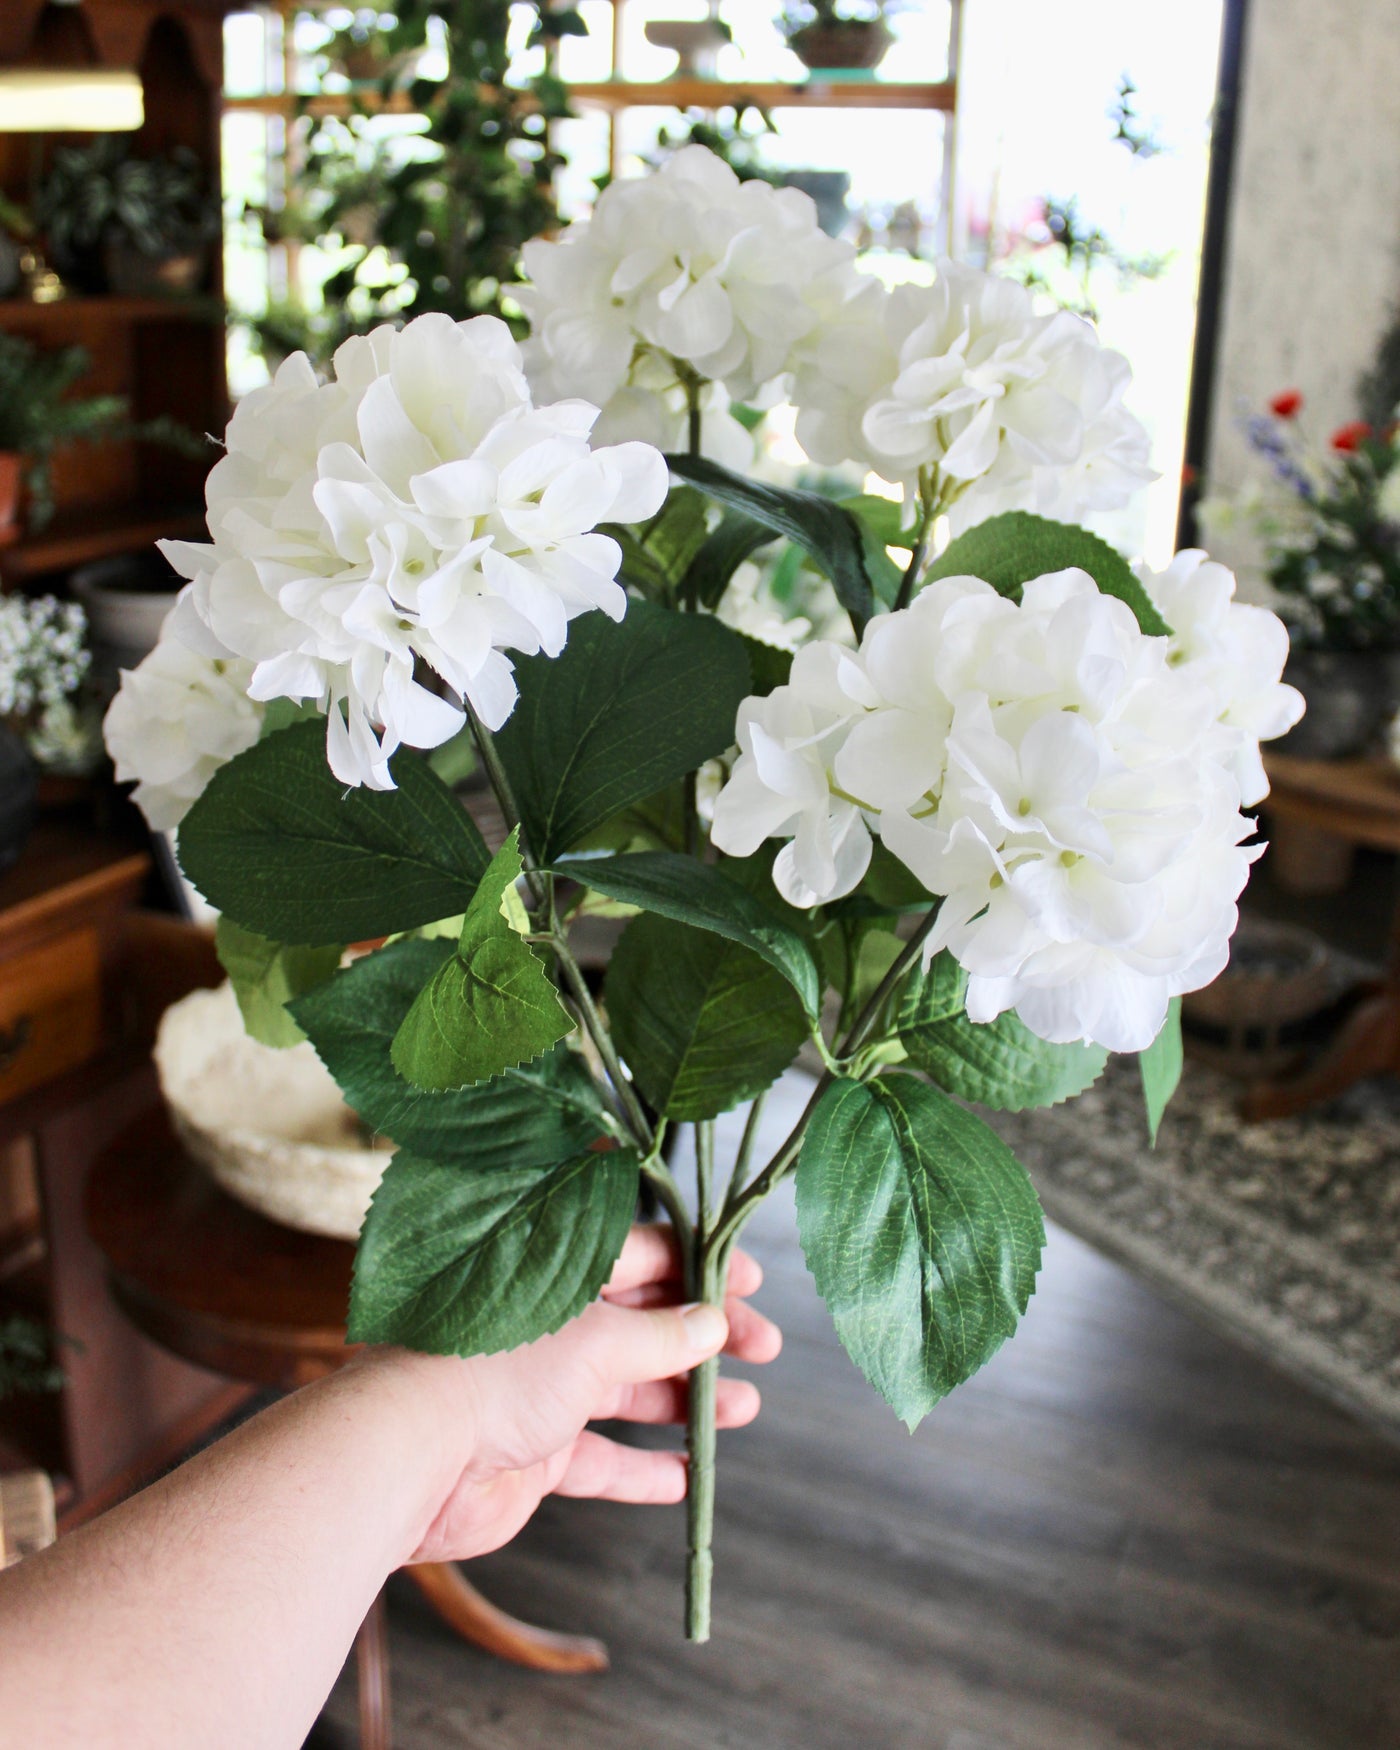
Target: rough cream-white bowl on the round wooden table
[304, 1165]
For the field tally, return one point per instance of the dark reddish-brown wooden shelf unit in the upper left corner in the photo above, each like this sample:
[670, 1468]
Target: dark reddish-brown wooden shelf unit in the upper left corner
[164, 356]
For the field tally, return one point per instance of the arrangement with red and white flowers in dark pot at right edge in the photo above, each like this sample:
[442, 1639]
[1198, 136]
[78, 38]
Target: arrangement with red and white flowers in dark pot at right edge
[1331, 528]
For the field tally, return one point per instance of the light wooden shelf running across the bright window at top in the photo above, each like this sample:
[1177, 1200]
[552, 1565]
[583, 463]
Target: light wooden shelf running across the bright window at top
[820, 92]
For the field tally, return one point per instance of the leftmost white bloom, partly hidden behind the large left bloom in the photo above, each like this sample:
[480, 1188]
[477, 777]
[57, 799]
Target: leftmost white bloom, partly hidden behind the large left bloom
[181, 715]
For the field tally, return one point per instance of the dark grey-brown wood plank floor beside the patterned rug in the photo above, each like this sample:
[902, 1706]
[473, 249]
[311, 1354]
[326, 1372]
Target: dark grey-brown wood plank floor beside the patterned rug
[1123, 1534]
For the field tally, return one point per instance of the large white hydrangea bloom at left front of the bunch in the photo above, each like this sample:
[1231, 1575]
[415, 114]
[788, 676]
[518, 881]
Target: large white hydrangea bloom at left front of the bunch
[414, 510]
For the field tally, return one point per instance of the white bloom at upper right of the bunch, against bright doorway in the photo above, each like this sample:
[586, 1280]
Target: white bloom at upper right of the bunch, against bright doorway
[1016, 410]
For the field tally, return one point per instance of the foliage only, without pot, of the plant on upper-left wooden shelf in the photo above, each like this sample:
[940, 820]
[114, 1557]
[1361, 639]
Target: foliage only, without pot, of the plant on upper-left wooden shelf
[102, 193]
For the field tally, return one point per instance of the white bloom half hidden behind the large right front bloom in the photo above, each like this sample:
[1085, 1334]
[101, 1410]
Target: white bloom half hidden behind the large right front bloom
[1236, 650]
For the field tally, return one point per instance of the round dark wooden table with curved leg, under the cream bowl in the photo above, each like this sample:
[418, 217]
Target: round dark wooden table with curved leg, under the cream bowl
[230, 1291]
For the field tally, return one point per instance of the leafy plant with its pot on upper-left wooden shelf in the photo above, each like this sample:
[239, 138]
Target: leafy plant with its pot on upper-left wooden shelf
[139, 227]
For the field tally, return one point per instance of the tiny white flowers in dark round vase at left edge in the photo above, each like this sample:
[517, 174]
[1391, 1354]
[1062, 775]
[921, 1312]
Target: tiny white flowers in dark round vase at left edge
[43, 666]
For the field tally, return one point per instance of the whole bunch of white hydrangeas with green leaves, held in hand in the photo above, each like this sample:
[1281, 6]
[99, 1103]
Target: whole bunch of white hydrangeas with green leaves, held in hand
[965, 853]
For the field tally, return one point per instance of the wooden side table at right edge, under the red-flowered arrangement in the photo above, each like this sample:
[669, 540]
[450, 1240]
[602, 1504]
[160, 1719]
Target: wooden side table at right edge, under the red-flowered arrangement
[1359, 802]
